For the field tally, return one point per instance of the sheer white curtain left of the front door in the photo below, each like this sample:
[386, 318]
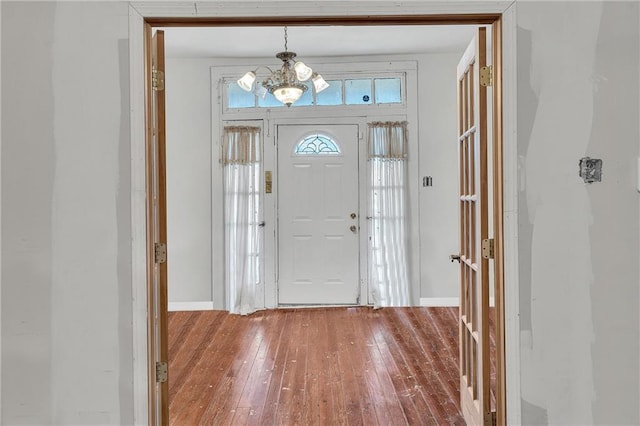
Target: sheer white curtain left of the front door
[242, 210]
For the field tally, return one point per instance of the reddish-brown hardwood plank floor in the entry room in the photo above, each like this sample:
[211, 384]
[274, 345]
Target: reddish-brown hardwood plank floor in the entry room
[325, 366]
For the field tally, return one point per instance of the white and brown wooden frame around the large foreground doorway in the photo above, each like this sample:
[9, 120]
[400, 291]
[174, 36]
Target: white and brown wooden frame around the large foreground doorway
[501, 16]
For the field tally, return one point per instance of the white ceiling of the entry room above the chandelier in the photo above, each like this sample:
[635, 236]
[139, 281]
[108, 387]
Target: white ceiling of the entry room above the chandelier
[250, 42]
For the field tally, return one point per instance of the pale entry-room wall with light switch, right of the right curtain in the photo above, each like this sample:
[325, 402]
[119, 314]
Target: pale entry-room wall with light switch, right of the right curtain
[439, 159]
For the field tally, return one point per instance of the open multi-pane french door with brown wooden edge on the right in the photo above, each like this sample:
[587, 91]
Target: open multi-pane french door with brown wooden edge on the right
[475, 245]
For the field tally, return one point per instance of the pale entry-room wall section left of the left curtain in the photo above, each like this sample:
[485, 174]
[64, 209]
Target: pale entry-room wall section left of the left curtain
[190, 234]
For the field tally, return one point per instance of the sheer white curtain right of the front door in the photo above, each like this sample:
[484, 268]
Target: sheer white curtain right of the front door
[388, 263]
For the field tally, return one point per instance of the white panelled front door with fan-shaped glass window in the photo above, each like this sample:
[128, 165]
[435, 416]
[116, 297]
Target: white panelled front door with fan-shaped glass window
[318, 214]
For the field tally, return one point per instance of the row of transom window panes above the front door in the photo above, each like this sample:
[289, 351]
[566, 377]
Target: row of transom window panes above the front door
[341, 92]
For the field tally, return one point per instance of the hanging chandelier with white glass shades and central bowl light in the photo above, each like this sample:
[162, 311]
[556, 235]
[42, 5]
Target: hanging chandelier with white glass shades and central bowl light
[286, 84]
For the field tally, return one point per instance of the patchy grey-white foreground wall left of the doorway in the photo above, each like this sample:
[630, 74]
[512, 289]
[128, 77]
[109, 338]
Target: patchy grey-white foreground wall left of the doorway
[66, 233]
